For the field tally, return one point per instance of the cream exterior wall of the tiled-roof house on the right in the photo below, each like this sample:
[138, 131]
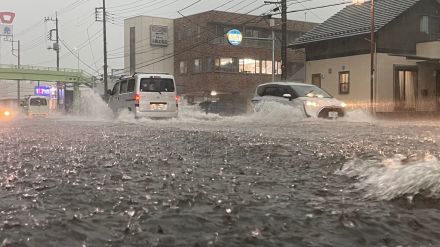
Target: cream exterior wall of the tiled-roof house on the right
[359, 67]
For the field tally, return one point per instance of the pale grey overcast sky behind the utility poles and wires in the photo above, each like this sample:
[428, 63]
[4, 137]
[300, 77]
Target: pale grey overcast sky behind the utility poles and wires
[78, 28]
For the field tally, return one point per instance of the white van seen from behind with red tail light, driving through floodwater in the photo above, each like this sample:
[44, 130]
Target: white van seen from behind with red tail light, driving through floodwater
[145, 95]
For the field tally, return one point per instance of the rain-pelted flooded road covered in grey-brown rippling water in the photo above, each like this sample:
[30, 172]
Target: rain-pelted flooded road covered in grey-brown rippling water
[212, 181]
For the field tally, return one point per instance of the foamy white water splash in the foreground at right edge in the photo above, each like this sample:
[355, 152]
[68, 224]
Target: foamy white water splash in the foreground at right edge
[396, 177]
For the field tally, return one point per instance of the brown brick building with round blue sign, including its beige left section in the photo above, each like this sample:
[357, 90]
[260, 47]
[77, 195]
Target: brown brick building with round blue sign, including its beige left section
[203, 59]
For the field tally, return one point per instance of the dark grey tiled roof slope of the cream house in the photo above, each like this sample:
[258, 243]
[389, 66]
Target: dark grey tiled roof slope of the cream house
[355, 20]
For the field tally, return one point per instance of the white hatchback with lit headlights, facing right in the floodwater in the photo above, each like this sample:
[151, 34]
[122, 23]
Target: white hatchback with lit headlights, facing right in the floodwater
[310, 99]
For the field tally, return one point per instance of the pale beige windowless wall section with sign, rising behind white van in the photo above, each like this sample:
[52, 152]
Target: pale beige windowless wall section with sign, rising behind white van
[145, 53]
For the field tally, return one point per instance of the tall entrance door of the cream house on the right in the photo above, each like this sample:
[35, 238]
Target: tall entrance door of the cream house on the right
[405, 89]
